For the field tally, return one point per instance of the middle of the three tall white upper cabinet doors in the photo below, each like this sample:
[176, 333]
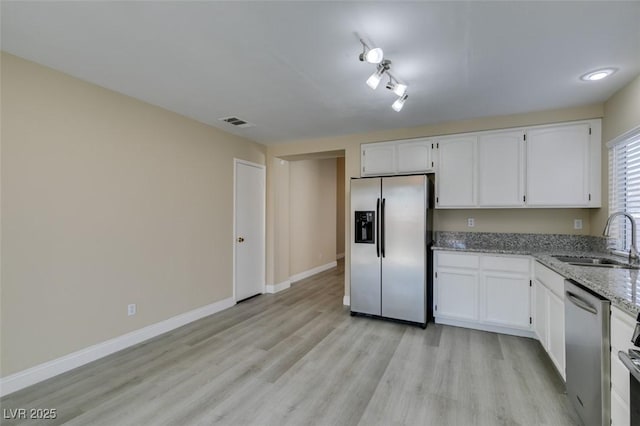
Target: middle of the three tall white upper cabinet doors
[501, 169]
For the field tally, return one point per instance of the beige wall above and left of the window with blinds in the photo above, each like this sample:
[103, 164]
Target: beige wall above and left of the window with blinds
[621, 114]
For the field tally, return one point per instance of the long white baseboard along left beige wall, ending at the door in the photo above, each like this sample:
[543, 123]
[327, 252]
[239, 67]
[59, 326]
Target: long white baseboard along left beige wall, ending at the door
[33, 375]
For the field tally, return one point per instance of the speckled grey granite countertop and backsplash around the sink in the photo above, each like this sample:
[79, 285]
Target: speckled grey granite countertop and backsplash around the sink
[620, 286]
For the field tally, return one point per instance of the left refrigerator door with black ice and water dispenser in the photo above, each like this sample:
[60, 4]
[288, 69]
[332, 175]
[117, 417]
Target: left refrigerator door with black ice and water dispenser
[365, 257]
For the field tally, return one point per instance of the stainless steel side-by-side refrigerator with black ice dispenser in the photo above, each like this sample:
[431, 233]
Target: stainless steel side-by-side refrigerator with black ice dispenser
[391, 242]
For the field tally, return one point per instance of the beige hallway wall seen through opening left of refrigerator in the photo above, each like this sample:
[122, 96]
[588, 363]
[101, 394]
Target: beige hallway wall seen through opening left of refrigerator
[312, 219]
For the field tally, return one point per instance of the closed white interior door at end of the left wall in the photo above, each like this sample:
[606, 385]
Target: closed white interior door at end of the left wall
[249, 225]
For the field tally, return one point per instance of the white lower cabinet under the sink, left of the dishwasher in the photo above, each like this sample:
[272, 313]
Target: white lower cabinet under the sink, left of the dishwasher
[548, 315]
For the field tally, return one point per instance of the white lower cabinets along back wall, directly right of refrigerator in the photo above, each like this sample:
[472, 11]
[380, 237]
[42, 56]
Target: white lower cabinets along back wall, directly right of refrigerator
[483, 291]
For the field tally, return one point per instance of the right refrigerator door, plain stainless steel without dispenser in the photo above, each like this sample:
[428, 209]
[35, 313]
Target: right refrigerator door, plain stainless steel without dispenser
[404, 261]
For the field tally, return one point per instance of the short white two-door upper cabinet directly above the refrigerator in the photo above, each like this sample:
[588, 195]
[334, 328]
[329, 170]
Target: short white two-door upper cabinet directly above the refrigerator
[396, 157]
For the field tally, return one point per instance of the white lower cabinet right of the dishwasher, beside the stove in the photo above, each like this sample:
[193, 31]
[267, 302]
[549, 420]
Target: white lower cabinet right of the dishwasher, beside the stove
[622, 326]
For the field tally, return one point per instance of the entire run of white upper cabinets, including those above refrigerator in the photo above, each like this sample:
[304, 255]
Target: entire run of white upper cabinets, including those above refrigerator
[548, 166]
